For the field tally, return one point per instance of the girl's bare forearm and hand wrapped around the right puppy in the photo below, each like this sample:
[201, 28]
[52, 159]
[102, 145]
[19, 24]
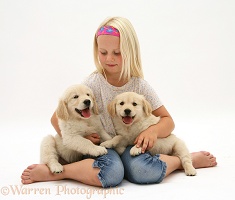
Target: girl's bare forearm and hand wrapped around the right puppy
[162, 129]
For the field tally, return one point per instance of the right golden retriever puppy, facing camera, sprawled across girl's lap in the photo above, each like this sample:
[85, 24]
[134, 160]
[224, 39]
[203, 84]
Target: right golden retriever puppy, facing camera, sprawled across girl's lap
[132, 114]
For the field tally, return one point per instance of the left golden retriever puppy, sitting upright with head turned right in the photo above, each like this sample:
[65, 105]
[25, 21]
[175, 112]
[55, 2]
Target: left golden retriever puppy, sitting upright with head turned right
[77, 117]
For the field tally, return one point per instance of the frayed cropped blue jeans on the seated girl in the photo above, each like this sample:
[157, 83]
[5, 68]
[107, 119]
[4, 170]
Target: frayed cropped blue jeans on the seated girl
[142, 169]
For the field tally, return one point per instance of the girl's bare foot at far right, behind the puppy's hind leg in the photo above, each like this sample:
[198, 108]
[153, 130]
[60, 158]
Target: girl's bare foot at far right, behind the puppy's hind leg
[203, 159]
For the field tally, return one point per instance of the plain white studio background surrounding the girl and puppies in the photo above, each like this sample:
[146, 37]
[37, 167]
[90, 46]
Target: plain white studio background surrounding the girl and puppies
[187, 50]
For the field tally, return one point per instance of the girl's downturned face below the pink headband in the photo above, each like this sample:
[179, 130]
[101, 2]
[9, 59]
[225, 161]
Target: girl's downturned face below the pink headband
[109, 54]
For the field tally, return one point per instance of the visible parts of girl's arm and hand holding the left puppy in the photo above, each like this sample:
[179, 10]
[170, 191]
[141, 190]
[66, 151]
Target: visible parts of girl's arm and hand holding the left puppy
[94, 137]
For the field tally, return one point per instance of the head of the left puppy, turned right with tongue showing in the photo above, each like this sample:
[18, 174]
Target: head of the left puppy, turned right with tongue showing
[77, 102]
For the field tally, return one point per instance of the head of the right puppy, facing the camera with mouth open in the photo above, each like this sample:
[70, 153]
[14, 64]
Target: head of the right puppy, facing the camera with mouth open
[130, 107]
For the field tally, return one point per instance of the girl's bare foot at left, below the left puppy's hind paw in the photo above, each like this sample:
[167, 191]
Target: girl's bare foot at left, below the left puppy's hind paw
[38, 172]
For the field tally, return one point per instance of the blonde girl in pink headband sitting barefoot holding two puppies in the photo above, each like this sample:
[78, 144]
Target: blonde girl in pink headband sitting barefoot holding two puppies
[119, 69]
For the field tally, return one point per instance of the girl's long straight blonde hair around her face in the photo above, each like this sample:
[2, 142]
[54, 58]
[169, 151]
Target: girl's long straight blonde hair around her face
[129, 47]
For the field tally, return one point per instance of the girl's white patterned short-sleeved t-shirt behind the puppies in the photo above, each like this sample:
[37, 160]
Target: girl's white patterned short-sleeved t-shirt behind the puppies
[105, 93]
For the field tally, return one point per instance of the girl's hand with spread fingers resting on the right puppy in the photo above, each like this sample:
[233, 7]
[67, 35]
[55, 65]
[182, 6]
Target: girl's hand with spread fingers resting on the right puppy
[146, 140]
